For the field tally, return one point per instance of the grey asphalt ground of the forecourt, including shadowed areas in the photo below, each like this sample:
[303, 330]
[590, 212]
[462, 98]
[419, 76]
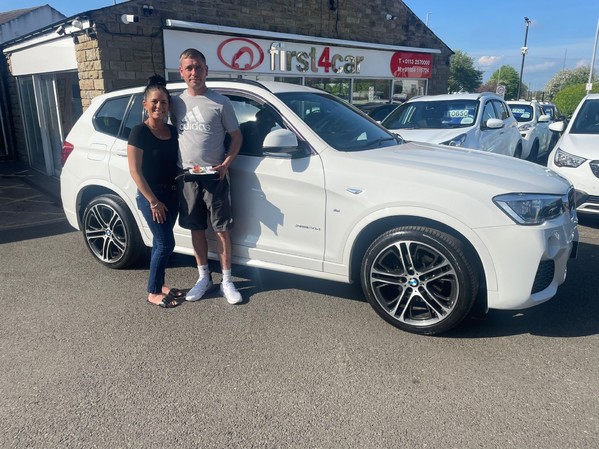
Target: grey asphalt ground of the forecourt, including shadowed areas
[87, 363]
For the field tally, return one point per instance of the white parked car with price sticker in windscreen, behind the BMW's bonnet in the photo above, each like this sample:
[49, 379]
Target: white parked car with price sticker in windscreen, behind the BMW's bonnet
[480, 121]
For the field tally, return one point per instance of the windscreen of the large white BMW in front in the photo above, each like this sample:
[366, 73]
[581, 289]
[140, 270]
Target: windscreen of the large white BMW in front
[337, 123]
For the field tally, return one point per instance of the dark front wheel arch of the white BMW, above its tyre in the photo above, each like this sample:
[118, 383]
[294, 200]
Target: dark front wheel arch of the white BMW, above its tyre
[371, 231]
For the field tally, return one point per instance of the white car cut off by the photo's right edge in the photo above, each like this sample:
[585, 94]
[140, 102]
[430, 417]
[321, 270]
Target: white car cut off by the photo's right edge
[576, 154]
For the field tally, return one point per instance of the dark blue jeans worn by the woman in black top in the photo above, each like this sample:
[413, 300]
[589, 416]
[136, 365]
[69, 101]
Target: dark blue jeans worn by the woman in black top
[163, 241]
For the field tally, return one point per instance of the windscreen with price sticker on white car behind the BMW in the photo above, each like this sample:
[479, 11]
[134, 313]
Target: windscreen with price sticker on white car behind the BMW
[433, 115]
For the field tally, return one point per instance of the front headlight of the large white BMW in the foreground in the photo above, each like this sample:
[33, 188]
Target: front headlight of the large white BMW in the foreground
[530, 208]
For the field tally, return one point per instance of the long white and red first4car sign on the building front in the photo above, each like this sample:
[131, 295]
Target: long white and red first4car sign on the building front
[245, 54]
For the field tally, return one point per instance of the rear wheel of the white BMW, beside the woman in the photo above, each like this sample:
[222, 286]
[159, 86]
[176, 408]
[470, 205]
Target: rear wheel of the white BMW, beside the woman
[110, 232]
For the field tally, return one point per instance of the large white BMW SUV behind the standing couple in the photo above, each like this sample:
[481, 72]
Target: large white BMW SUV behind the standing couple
[431, 233]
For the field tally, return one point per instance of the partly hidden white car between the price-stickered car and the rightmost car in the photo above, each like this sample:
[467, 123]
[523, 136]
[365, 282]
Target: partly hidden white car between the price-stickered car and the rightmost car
[533, 124]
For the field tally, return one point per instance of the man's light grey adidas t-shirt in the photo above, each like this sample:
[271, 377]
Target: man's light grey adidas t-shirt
[202, 122]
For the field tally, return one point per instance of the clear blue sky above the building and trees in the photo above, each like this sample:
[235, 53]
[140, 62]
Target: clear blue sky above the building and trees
[561, 34]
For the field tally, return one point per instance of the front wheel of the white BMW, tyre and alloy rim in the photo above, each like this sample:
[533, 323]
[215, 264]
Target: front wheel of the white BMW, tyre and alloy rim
[419, 279]
